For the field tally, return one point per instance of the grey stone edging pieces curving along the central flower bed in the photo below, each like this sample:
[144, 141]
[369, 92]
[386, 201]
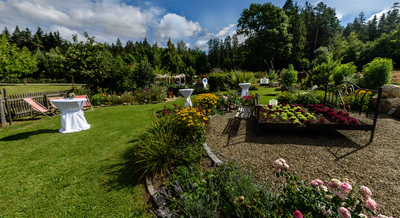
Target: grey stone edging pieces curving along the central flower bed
[158, 199]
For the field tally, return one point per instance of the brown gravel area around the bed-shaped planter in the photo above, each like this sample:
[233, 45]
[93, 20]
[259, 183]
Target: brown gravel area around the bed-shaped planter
[317, 154]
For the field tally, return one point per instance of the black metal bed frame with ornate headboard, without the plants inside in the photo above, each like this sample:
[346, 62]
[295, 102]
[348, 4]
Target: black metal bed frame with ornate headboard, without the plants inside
[335, 96]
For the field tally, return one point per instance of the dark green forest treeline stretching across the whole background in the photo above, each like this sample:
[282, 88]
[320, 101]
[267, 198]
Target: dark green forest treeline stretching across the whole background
[275, 37]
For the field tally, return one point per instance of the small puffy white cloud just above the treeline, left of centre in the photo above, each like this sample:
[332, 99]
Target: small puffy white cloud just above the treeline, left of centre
[176, 27]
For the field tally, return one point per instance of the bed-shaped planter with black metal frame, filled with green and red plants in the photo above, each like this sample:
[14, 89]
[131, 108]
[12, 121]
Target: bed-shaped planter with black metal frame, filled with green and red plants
[347, 96]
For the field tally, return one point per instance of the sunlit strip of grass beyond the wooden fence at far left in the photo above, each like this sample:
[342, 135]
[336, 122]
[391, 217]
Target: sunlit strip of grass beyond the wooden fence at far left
[19, 89]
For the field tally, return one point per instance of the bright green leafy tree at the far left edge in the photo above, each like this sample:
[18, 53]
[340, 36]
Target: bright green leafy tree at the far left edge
[15, 62]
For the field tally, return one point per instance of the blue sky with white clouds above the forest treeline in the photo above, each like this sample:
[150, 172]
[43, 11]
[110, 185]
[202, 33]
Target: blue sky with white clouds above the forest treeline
[194, 22]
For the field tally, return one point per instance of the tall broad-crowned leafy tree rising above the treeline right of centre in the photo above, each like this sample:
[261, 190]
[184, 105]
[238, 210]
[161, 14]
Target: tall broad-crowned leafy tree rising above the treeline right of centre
[268, 26]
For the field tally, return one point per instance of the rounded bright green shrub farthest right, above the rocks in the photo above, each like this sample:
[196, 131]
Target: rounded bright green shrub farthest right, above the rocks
[377, 73]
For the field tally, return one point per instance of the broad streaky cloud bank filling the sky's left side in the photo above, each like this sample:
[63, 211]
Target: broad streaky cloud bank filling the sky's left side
[107, 17]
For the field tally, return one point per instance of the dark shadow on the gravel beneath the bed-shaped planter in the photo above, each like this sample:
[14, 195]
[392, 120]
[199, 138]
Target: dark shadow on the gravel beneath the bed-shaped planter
[336, 143]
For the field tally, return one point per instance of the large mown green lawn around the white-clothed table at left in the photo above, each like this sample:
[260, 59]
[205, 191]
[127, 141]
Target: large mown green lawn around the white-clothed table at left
[44, 173]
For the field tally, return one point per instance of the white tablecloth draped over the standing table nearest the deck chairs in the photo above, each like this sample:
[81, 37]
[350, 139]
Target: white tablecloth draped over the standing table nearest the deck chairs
[72, 116]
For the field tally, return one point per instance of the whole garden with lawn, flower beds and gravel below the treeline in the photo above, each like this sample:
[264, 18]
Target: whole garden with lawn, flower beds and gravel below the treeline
[281, 173]
